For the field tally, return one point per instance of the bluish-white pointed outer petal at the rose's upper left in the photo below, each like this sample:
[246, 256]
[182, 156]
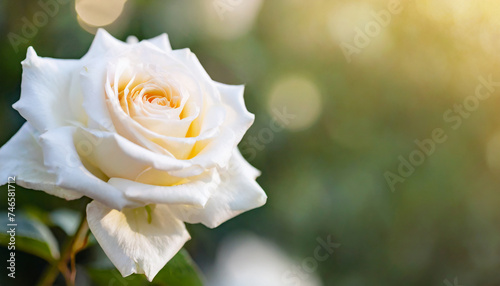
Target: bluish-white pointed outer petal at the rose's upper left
[45, 91]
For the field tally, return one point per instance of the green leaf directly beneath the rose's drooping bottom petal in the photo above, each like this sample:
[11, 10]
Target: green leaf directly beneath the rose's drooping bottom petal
[179, 271]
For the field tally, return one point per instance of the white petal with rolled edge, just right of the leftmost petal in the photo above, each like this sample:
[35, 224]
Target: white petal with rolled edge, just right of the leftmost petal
[62, 159]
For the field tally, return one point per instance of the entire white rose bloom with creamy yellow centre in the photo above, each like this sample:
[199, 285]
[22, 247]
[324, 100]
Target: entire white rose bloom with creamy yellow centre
[146, 133]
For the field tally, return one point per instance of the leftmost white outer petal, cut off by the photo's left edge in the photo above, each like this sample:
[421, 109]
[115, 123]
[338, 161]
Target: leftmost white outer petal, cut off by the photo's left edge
[22, 157]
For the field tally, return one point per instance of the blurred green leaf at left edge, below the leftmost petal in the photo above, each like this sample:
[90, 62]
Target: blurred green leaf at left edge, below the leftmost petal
[31, 236]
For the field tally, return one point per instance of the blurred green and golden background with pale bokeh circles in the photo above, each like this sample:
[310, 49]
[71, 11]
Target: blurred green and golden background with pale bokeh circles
[361, 81]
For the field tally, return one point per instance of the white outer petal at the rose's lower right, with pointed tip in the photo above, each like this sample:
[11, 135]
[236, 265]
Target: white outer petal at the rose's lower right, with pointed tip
[237, 193]
